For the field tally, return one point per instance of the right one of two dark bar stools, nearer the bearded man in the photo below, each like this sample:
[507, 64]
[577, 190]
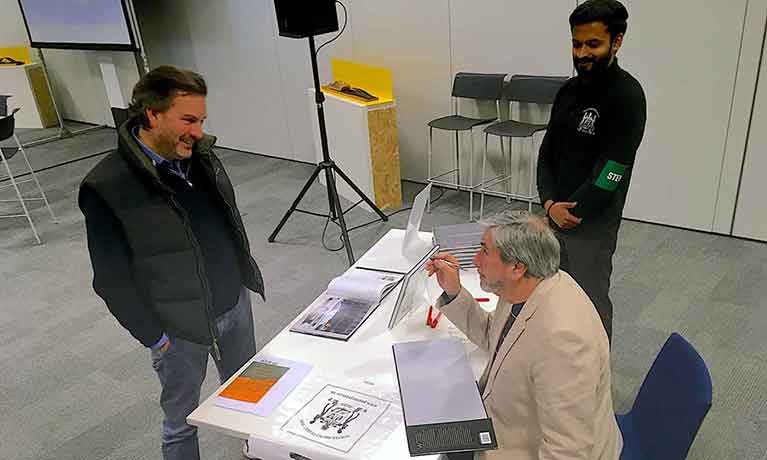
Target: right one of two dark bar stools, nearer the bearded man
[533, 89]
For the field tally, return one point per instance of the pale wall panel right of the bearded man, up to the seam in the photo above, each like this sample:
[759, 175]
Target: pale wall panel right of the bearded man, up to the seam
[685, 54]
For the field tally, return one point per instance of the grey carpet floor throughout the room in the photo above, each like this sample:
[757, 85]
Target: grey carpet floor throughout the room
[76, 386]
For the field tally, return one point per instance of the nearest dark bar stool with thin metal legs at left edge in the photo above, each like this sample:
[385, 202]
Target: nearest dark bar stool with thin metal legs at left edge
[7, 125]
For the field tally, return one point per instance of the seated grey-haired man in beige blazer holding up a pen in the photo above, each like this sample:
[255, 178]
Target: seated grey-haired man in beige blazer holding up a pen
[547, 384]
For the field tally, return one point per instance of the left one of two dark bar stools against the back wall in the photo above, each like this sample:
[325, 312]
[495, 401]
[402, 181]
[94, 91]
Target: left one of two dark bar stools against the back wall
[477, 86]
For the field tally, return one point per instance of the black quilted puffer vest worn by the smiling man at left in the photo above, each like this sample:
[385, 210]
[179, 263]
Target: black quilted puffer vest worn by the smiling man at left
[167, 260]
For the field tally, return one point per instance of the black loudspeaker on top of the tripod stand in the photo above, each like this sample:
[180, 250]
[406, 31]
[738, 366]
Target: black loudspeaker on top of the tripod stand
[304, 18]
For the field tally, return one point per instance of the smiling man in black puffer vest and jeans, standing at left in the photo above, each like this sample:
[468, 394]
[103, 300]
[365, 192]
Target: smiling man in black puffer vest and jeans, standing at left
[170, 255]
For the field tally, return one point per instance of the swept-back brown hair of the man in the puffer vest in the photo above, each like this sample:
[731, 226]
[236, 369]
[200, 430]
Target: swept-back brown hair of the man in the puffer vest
[156, 90]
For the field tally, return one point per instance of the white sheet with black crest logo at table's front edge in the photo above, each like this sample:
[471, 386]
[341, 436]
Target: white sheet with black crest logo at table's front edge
[337, 417]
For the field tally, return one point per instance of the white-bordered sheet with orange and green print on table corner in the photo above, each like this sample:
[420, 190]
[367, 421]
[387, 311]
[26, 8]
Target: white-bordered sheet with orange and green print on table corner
[262, 385]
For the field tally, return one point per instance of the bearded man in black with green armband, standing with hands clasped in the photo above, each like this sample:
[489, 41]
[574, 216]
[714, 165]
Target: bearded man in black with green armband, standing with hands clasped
[586, 158]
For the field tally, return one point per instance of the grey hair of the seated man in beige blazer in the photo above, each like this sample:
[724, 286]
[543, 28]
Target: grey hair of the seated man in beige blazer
[526, 239]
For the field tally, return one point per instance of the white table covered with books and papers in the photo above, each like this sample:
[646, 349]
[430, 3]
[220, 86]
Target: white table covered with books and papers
[367, 356]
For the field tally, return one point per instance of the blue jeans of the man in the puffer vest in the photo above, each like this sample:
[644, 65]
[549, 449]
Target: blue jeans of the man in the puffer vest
[181, 369]
